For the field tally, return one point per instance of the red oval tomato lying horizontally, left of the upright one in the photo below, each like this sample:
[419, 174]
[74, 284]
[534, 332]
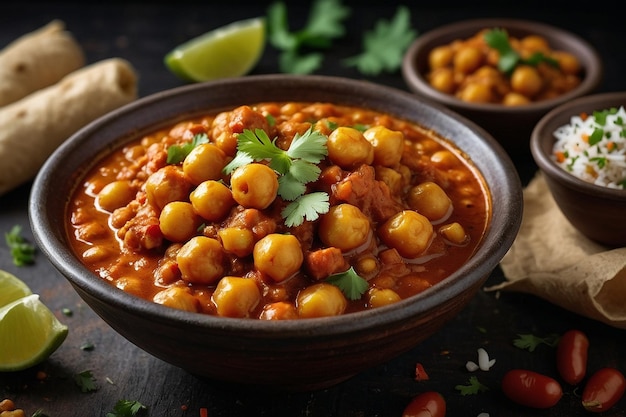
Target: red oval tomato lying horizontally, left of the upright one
[531, 388]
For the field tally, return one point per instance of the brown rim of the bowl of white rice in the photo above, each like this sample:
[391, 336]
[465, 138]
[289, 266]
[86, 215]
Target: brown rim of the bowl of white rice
[560, 116]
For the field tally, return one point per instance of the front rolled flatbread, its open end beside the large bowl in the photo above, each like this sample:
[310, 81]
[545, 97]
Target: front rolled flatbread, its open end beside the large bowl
[33, 127]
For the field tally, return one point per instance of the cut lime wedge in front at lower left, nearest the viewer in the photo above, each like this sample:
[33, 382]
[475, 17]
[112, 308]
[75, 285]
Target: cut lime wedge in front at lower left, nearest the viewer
[29, 333]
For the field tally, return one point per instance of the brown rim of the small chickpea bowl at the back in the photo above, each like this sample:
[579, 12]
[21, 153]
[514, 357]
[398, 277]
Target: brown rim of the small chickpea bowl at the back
[588, 56]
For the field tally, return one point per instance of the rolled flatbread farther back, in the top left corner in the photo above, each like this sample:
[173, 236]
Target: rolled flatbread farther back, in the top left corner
[37, 60]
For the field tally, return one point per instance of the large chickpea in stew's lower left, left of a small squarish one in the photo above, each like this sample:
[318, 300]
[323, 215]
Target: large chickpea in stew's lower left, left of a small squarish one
[200, 260]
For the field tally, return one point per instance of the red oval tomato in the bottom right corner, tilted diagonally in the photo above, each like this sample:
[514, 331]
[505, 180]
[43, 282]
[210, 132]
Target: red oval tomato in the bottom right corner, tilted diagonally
[603, 389]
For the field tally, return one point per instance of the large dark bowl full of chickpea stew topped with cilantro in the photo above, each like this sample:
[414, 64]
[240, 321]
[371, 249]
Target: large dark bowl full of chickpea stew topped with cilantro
[277, 231]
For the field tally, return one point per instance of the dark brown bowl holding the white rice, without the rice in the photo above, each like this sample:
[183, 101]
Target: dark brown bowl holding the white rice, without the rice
[597, 212]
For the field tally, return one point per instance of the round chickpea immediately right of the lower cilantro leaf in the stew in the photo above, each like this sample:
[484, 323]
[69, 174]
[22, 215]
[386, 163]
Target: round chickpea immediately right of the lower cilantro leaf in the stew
[344, 227]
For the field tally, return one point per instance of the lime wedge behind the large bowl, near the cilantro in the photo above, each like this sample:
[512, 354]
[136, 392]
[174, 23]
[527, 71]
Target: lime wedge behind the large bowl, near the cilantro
[228, 51]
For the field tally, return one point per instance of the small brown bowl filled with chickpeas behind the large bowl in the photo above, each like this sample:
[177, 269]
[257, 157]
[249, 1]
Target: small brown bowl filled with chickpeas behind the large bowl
[503, 74]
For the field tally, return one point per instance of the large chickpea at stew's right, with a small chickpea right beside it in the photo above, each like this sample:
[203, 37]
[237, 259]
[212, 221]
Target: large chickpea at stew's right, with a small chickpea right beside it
[408, 232]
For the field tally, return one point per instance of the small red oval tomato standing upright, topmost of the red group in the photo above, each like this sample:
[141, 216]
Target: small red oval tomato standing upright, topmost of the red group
[571, 356]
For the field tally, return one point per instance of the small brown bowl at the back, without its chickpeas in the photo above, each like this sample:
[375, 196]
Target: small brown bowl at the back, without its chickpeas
[511, 126]
